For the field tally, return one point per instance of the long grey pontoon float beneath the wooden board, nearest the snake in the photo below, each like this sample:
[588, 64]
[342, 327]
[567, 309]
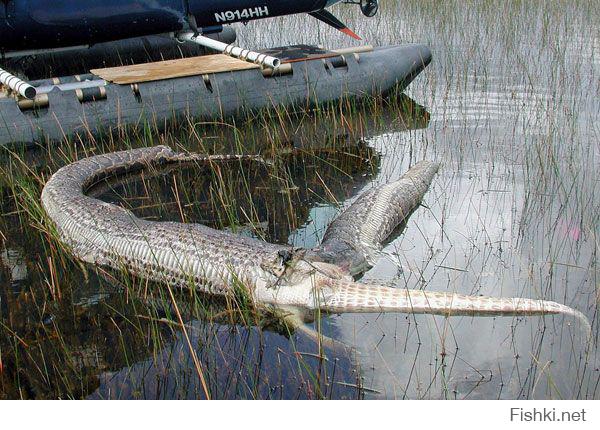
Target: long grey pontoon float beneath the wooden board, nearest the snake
[208, 96]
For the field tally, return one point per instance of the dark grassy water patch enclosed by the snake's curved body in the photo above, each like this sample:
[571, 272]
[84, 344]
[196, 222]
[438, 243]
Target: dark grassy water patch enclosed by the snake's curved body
[253, 199]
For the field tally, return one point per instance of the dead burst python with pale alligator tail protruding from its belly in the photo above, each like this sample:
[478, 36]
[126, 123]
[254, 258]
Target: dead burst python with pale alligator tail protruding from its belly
[213, 261]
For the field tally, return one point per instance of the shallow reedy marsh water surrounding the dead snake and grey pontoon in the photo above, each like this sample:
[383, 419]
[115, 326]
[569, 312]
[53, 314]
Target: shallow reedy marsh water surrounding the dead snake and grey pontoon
[509, 107]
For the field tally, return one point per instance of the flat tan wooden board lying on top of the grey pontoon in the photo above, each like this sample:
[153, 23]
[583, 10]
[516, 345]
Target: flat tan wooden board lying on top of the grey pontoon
[148, 72]
